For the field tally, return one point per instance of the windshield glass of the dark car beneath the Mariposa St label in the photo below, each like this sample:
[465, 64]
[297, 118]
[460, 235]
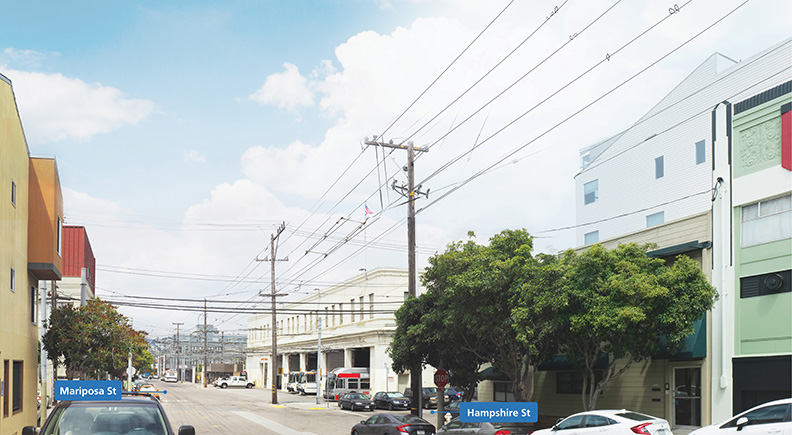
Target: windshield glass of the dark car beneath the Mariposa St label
[90, 418]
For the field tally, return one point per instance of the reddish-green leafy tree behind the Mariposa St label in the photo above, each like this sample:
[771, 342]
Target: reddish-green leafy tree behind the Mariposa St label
[93, 340]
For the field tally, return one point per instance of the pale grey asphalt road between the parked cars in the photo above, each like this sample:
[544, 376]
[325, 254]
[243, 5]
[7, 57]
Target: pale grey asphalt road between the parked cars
[215, 411]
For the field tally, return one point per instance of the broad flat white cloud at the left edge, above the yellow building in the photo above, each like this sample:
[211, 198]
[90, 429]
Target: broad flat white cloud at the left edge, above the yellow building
[55, 107]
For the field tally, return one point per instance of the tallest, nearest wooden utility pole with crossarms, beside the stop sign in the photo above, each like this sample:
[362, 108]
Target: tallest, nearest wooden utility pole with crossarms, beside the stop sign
[410, 192]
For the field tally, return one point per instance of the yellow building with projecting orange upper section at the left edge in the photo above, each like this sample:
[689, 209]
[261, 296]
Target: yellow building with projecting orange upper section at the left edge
[31, 217]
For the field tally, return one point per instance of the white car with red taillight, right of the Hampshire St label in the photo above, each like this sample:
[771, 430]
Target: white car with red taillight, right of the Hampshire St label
[609, 422]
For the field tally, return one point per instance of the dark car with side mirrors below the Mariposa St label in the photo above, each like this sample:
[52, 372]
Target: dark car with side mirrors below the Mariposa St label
[141, 415]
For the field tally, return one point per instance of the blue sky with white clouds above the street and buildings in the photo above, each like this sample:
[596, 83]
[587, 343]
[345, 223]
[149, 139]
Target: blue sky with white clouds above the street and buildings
[186, 133]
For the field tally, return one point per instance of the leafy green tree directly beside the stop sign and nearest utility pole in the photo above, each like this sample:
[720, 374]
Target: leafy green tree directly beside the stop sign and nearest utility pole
[465, 316]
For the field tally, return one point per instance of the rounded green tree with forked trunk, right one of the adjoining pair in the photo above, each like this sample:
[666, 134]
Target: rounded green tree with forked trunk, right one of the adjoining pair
[618, 302]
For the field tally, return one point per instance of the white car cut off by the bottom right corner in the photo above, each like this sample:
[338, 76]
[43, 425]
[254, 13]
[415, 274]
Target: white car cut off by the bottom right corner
[769, 418]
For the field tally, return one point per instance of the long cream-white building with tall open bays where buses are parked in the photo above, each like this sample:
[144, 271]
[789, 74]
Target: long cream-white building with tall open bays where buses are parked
[358, 324]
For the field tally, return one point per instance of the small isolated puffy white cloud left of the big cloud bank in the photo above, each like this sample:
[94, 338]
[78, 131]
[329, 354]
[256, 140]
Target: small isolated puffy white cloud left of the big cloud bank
[287, 90]
